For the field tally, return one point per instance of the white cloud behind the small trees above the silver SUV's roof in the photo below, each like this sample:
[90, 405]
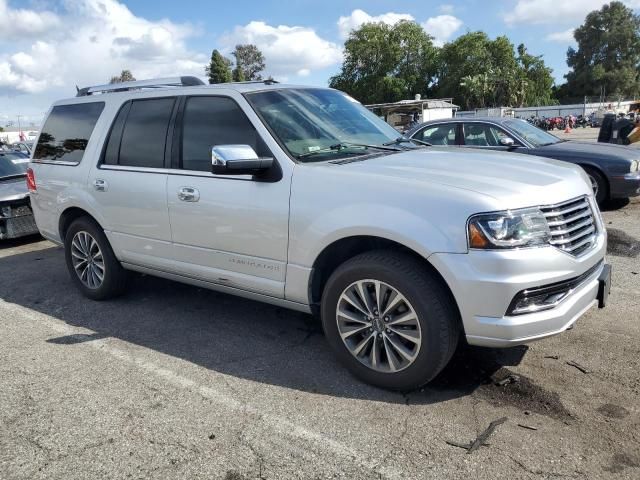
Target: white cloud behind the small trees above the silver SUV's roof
[286, 49]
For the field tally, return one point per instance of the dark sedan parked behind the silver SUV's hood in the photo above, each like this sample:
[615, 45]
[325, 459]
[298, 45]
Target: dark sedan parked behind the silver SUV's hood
[612, 169]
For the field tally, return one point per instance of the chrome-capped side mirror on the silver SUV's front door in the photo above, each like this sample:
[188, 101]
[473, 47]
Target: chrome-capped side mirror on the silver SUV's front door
[237, 160]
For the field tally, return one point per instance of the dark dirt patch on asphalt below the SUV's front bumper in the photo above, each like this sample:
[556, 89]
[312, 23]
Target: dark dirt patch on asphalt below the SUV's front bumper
[507, 388]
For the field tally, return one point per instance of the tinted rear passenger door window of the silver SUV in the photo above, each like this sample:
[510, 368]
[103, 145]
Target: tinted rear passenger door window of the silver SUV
[145, 133]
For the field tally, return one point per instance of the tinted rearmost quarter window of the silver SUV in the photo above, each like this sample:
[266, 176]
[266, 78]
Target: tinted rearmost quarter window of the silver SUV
[66, 132]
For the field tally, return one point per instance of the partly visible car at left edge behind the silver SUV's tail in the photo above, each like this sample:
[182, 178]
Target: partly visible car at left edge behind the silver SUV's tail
[16, 217]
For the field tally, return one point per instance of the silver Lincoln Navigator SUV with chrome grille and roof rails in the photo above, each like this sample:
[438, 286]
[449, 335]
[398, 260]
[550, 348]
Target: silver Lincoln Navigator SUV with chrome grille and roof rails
[301, 197]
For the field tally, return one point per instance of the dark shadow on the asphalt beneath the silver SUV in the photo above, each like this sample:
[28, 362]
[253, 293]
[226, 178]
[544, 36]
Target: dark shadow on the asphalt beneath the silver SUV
[223, 333]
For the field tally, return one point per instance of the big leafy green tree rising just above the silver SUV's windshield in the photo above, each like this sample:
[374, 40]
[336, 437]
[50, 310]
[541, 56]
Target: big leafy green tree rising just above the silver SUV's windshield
[386, 63]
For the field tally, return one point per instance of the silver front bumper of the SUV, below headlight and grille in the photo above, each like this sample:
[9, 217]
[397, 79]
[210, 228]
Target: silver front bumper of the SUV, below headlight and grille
[485, 283]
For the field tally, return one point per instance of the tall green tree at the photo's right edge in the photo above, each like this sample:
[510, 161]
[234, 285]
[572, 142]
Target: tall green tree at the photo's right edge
[608, 53]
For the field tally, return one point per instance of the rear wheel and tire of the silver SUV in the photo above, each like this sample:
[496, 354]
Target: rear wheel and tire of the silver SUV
[93, 266]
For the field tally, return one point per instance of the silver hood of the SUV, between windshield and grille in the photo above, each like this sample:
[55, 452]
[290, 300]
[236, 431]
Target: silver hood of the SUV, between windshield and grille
[511, 180]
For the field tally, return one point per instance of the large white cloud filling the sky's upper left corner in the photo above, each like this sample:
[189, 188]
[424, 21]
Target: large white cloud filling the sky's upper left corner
[96, 39]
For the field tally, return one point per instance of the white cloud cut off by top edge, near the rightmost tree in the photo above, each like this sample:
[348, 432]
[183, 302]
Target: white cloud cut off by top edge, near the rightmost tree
[554, 11]
